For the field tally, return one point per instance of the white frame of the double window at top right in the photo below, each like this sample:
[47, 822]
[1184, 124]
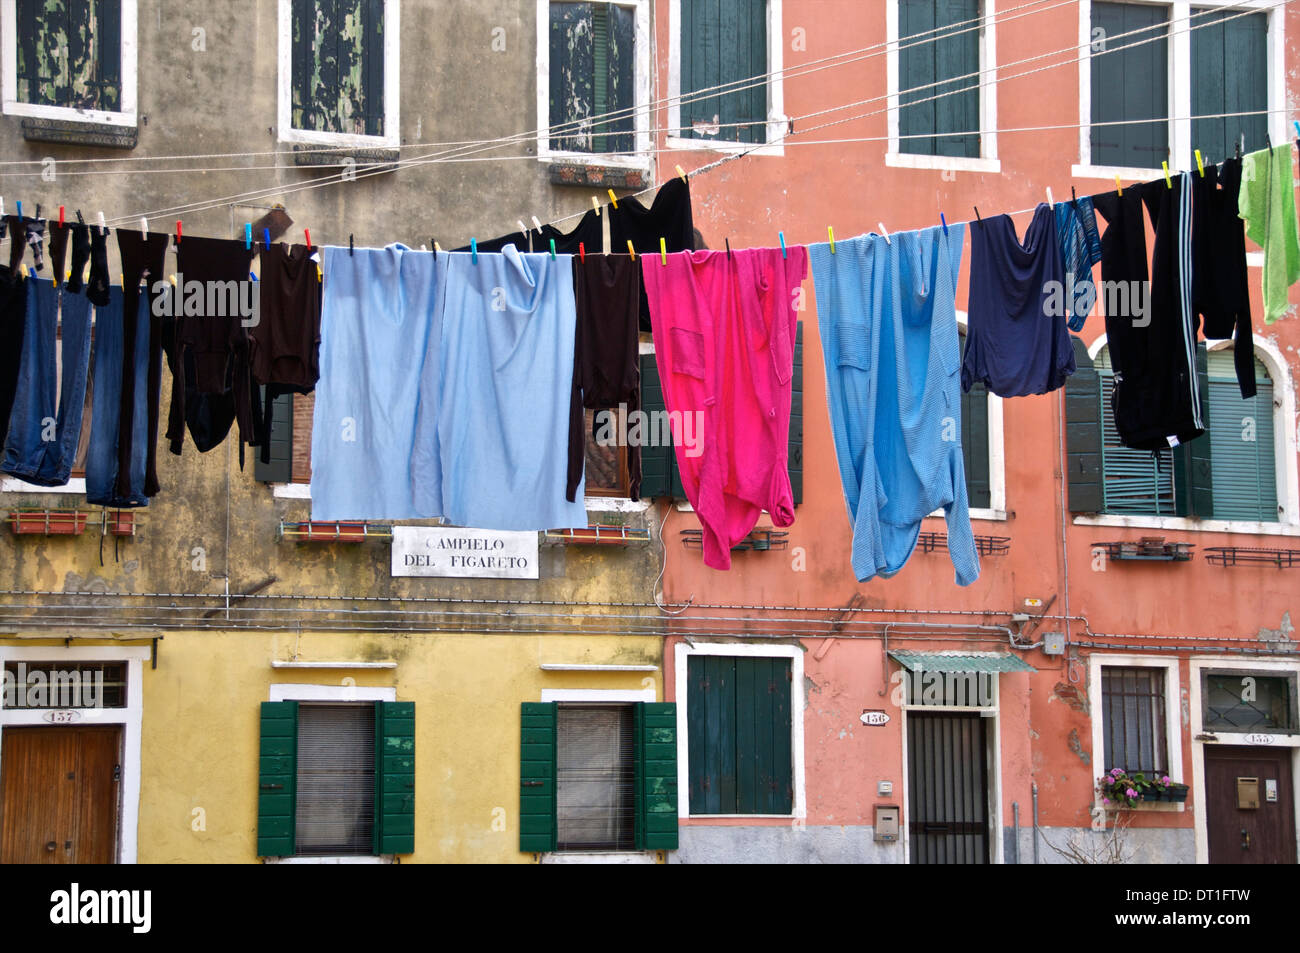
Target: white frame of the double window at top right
[1180, 84]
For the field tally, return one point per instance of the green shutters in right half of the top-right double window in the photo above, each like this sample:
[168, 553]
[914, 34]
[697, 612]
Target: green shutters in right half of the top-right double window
[1229, 76]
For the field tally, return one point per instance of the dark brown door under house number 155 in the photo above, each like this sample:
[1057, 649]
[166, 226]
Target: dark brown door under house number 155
[1260, 835]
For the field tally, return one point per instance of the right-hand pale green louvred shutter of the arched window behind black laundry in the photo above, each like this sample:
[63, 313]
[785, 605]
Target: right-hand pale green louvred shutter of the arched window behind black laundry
[1241, 439]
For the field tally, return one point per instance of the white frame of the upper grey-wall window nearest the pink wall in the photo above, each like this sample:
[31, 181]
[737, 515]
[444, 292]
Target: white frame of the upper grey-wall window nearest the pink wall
[640, 96]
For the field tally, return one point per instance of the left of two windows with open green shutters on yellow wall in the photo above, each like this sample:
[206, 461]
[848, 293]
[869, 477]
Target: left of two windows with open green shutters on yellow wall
[336, 779]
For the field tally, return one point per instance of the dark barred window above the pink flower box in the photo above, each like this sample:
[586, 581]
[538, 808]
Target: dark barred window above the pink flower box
[1133, 714]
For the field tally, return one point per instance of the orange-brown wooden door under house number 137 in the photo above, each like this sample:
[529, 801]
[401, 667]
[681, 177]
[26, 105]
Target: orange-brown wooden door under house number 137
[59, 795]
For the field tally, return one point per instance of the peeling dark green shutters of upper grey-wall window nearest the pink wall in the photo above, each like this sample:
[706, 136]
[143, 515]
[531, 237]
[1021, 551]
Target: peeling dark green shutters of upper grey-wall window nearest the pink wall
[592, 77]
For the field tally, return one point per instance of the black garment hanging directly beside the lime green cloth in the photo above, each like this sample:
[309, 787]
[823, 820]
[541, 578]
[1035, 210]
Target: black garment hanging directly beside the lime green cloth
[1221, 288]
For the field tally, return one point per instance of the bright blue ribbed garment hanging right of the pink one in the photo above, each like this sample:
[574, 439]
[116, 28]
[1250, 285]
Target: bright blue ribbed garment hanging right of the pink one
[889, 327]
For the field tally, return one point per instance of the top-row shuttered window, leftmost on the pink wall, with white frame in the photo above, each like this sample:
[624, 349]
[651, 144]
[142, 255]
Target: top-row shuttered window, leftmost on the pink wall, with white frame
[727, 57]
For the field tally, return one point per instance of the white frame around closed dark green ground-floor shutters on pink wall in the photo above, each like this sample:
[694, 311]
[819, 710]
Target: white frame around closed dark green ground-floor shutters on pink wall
[686, 651]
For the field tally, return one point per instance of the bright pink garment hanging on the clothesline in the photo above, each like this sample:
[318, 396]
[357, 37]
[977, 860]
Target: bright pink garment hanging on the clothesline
[725, 330]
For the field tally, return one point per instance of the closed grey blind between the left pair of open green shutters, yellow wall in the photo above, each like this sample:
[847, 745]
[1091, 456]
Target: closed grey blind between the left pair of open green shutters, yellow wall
[336, 779]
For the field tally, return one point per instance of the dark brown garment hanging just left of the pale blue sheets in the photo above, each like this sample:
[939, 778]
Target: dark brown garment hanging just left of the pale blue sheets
[284, 345]
